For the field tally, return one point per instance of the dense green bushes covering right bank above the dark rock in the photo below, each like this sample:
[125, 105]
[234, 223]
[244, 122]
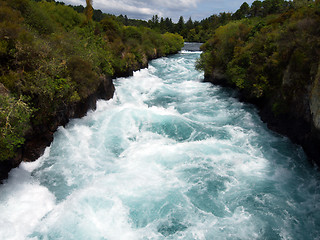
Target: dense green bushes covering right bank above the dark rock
[273, 57]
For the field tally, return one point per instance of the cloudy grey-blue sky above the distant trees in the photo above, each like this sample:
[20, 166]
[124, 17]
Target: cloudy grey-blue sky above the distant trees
[144, 9]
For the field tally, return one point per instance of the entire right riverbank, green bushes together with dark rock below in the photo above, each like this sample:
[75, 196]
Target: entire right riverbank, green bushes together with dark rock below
[274, 62]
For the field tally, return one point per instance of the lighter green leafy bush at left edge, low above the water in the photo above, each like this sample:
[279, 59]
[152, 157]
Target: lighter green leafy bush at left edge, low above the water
[14, 122]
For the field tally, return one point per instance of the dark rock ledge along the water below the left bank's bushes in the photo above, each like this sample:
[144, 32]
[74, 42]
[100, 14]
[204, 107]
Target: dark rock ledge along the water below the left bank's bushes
[41, 136]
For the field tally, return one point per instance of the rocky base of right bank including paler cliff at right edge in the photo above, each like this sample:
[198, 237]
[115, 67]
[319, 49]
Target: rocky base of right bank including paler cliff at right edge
[301, 120]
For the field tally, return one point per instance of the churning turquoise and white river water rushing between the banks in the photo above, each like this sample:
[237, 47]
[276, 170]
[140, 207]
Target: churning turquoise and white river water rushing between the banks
[168, 158]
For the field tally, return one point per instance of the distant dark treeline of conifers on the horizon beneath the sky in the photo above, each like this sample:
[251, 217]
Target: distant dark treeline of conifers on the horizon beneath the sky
[201, 31]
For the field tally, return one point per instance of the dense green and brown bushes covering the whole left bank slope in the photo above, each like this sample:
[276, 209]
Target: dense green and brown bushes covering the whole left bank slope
[52, 56]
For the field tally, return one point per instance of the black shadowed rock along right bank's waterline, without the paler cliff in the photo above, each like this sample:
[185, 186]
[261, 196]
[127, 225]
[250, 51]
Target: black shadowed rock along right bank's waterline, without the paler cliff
[293, 124]
